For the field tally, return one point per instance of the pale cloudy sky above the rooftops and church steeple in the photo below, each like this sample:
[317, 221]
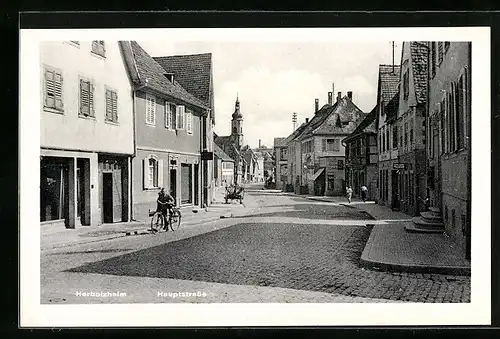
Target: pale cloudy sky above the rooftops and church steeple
[274, 80]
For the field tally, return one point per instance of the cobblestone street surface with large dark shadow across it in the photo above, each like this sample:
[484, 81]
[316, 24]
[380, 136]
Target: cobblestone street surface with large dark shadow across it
[282, 243]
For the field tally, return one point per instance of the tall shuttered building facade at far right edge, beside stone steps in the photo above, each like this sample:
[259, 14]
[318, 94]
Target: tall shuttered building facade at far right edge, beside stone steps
[448, 133]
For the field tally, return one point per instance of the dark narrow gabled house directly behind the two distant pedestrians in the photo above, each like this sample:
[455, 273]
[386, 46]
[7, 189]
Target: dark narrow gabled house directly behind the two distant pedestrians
[362, 157]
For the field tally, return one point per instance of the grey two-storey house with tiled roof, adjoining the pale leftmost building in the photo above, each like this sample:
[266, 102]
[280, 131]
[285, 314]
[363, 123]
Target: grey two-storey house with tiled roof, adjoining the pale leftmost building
[169, 135]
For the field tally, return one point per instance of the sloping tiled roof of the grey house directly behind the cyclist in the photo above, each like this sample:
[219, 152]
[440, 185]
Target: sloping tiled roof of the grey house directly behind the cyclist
[151, 73]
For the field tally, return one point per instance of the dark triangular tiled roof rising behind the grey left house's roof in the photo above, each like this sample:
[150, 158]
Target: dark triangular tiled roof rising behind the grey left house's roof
[193, 72]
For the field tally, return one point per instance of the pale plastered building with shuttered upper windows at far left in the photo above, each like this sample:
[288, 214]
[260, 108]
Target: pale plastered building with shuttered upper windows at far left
[86, 125]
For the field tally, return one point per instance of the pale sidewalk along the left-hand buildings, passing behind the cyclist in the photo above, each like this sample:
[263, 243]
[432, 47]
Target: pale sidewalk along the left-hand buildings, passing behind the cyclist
[55, 239]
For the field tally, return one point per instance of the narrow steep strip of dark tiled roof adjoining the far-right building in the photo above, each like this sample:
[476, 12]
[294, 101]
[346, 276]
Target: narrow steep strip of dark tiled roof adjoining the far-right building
[419, 52]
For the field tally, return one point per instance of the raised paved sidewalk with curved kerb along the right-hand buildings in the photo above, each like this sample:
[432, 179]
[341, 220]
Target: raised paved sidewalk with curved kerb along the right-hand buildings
[390, 247]
